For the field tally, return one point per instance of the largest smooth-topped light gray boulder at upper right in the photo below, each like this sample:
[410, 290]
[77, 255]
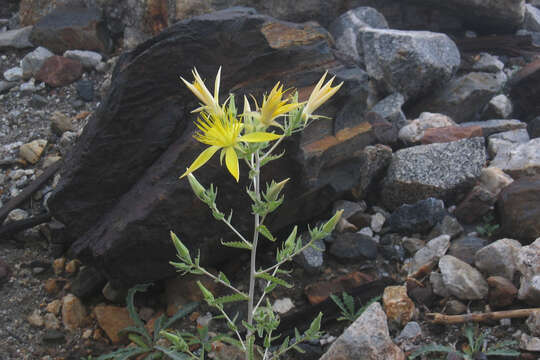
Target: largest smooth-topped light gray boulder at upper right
[412, 63]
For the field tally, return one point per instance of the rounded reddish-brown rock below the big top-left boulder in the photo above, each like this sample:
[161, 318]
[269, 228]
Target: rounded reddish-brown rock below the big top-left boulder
[59, 71]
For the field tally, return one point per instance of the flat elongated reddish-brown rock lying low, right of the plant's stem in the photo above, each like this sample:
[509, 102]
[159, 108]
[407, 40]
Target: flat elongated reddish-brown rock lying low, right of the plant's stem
[320, 291]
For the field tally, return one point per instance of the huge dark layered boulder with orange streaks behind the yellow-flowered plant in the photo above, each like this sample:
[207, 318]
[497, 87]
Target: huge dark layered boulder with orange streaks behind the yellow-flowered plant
[119, 194]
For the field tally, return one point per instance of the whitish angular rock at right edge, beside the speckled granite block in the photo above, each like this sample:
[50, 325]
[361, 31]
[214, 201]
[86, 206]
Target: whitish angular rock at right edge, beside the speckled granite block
[520, 160]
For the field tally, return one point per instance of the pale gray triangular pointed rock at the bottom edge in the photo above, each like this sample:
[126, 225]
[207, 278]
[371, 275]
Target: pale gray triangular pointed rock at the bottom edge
[367, 338]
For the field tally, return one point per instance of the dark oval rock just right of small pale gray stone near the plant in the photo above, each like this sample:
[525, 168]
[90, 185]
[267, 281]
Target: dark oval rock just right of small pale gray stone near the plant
[354, 246]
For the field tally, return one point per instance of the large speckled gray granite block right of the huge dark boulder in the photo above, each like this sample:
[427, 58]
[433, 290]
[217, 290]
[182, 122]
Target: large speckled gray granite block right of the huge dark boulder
[443, 171]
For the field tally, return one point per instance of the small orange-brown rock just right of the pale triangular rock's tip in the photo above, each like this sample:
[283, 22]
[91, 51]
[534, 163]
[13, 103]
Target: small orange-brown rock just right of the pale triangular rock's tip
[397, 304]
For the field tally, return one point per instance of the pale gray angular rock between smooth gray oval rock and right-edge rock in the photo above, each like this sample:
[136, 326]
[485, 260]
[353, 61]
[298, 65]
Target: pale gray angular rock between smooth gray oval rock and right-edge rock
[498, 258]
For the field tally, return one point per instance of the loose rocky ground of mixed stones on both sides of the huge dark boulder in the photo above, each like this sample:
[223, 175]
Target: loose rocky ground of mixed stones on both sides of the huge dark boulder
[443, 259]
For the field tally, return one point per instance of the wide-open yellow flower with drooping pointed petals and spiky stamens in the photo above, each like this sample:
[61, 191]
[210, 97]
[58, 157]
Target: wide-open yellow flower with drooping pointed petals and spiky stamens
[223, 133]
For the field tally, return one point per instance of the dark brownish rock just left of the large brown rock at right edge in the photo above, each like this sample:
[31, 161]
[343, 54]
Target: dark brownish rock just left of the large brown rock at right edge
[476, 204]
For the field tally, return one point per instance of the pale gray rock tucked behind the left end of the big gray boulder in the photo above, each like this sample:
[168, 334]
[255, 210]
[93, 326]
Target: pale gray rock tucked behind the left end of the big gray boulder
[347, 29]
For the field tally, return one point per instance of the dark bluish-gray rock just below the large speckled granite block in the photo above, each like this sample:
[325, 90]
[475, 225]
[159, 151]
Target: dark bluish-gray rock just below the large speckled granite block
[419, 217]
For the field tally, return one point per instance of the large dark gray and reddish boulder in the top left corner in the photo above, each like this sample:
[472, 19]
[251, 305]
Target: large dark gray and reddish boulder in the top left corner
[69, 28]
